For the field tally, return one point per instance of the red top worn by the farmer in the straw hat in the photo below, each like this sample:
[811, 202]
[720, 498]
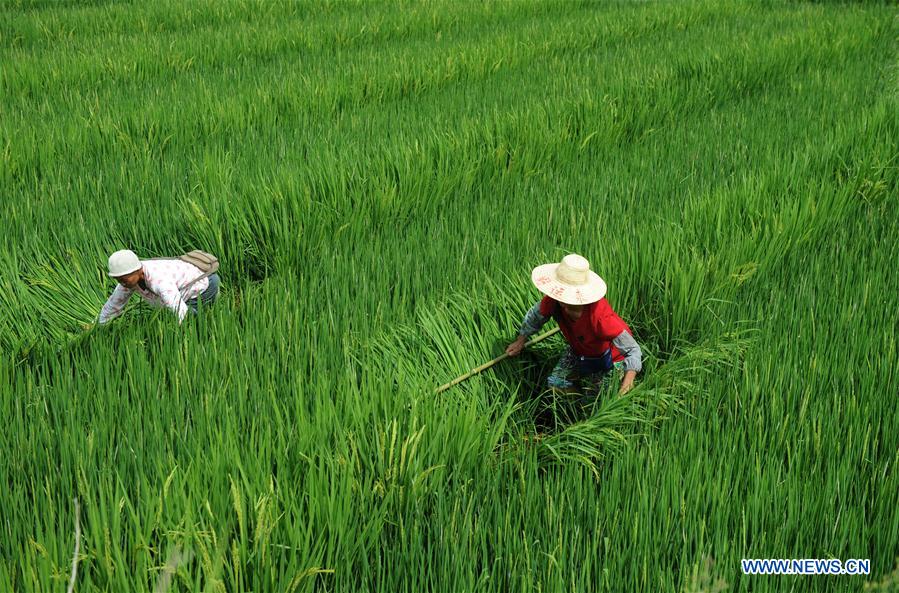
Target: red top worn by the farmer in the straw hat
[593, 332]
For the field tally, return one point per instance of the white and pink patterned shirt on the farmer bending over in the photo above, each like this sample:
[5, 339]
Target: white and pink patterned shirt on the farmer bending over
[165, 280]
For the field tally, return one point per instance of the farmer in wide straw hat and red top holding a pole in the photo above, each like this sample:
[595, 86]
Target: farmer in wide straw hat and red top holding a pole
[598, 339]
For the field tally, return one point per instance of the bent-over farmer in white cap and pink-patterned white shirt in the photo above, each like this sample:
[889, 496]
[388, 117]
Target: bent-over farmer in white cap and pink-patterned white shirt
[172, 283]
